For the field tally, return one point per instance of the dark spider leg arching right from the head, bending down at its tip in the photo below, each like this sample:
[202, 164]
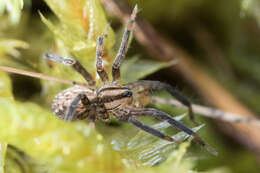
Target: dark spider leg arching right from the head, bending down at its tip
[157, 85]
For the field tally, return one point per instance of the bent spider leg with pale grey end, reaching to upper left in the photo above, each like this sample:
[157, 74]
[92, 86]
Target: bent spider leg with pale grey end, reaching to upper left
[74, 63]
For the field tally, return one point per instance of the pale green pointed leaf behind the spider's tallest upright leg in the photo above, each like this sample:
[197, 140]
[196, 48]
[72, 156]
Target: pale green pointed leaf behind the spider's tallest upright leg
[135, 68]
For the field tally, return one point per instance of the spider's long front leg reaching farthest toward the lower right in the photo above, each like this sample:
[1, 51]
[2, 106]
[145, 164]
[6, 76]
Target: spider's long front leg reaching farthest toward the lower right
[163, 116]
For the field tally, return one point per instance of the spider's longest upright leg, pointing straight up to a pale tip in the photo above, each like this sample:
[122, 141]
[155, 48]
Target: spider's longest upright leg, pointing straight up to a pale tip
[124, 46]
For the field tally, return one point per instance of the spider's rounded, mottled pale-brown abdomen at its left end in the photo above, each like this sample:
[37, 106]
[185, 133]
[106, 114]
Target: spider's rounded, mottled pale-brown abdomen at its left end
[63, 100]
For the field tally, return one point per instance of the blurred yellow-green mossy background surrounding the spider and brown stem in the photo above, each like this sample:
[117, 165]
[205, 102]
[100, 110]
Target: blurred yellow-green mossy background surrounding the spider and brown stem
[222, 37]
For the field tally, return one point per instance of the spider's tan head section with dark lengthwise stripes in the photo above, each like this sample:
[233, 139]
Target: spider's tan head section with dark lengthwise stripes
[115, 97]
